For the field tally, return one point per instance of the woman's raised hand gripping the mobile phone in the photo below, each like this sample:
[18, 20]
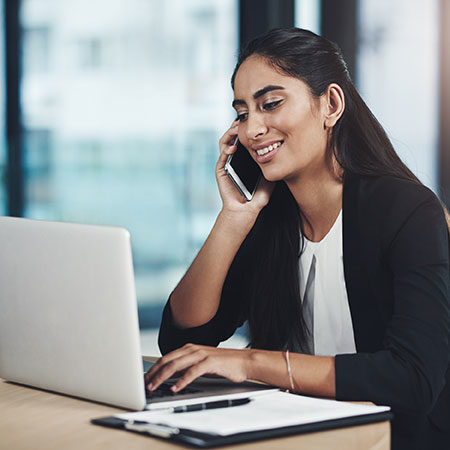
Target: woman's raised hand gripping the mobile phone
[233, 201]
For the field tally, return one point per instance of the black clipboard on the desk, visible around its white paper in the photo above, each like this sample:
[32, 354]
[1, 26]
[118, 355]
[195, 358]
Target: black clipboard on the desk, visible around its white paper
[198, 439]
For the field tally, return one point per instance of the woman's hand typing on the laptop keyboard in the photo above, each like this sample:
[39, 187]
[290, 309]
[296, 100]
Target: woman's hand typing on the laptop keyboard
[194, 361]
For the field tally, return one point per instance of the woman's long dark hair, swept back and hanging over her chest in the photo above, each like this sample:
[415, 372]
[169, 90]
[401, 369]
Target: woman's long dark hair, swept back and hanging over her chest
[269, 255]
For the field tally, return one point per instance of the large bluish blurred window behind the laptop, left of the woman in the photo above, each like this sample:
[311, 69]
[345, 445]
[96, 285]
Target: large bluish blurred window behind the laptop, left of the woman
[123, 104]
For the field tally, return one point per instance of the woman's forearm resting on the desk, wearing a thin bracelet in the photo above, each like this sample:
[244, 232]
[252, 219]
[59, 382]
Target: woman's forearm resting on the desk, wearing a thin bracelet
[312, 375]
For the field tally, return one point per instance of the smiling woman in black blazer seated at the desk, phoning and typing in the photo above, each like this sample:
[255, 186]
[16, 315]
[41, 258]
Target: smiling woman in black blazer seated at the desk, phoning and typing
[341, 257]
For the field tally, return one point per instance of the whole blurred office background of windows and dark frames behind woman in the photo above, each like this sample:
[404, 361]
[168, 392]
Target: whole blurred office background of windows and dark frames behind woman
[111, 109]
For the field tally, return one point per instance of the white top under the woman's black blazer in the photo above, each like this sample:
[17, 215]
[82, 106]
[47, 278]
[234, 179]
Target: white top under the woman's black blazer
[326, 294]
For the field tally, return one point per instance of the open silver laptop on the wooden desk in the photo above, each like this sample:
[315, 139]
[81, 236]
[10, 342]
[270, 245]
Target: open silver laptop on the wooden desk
[68, 318]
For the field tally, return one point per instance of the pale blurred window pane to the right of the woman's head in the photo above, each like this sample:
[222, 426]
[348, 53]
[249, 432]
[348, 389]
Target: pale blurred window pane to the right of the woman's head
[398, 76]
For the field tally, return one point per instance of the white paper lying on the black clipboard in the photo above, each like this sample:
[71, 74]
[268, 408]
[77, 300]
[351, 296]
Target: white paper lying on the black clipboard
[275, 410]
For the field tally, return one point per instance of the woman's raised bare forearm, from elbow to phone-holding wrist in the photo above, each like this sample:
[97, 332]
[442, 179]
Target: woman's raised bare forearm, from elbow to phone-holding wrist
[196, 298]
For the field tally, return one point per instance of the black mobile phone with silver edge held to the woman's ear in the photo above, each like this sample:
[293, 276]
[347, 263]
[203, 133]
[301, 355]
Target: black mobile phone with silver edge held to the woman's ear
[243, 171]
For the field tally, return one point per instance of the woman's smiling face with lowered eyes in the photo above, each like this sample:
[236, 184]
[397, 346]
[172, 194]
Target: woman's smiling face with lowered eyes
[280, 122]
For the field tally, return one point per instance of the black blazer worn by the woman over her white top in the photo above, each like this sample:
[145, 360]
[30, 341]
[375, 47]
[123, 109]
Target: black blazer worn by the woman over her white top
[396, 266]
